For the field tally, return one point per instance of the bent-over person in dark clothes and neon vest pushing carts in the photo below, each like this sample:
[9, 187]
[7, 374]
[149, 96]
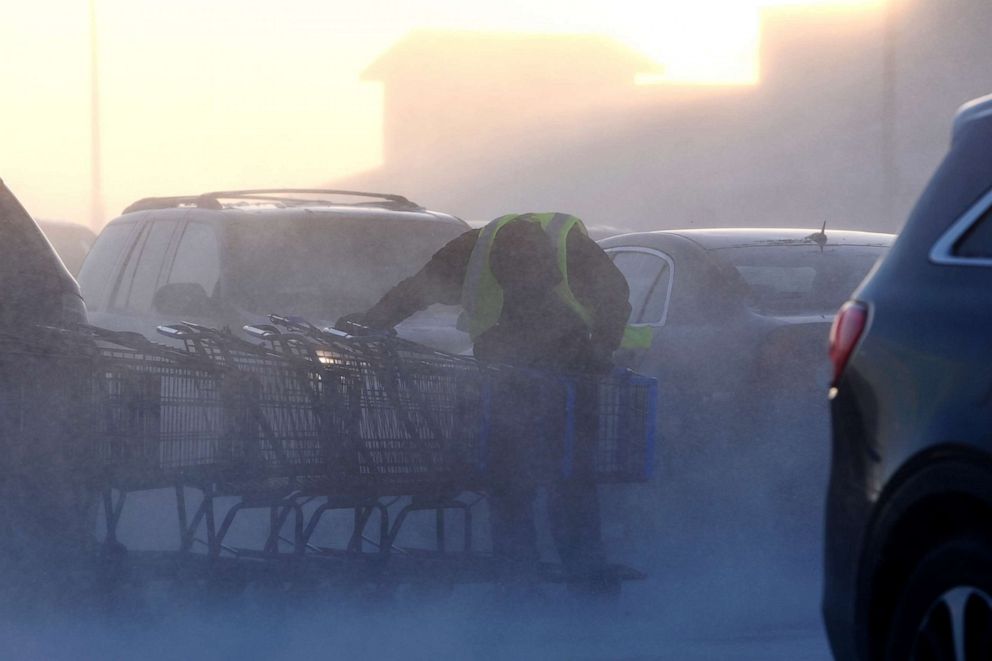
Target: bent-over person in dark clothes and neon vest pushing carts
[537, 293]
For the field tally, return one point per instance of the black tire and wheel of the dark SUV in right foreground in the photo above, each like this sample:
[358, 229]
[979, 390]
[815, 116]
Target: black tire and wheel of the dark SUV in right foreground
[945, 610]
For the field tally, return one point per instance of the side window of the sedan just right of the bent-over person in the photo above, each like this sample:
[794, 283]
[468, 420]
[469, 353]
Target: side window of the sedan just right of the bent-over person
[649, 276]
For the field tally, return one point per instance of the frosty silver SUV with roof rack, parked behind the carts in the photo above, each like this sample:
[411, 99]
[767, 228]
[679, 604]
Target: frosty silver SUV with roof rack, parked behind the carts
[227, 259]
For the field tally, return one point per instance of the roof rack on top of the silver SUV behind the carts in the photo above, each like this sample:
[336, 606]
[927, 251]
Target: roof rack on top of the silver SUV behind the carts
[273, 195]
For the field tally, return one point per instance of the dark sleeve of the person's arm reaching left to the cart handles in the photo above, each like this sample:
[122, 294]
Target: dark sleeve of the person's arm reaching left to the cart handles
[439, 281]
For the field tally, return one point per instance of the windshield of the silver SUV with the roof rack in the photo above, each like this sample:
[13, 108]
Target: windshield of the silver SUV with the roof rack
[323, 268]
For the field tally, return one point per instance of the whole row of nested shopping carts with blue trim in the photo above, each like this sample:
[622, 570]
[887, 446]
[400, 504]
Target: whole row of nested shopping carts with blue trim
[301, 421]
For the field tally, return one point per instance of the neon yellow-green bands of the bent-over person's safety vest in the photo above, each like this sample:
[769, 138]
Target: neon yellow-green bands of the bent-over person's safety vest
[482, 297]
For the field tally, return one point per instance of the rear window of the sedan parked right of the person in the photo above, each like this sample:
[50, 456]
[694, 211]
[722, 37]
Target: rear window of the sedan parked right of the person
[800, 279]
